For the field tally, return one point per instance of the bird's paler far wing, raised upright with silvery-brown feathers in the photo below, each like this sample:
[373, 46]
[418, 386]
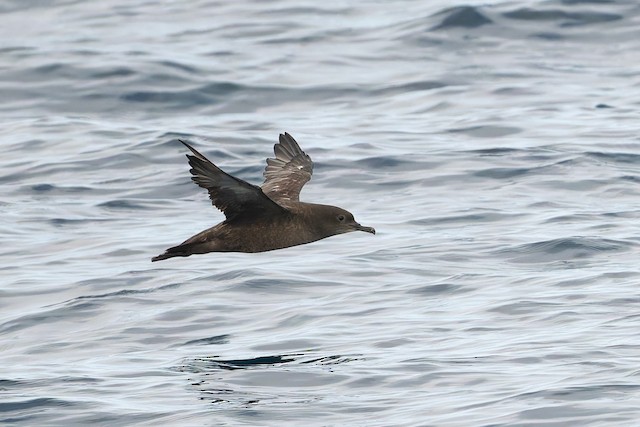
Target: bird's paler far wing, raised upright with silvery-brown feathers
[285, 175]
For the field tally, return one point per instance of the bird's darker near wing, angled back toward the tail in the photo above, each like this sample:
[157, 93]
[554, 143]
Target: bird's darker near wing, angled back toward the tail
[233, 196]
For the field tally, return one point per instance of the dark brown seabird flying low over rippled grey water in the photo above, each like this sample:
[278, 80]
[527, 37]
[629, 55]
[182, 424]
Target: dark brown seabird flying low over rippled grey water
[260, 219]
